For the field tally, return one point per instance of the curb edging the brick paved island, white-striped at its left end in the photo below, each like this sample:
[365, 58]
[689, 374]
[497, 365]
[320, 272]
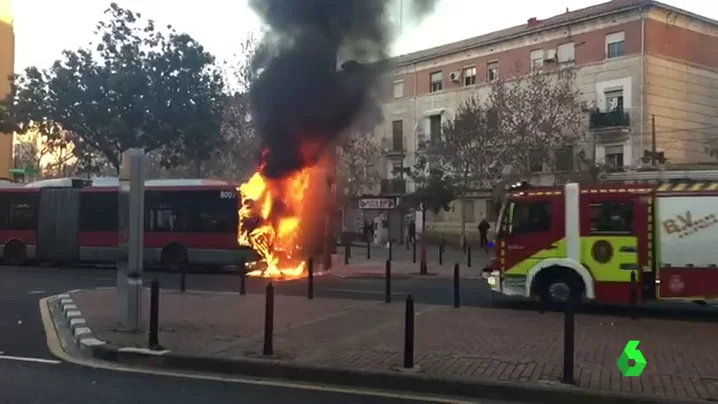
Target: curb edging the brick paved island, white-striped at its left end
[413, 382]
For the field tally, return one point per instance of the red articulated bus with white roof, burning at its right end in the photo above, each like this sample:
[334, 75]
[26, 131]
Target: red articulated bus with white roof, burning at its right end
[70, 220]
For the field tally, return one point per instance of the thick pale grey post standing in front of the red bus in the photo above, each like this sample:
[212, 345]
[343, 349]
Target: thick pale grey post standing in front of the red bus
[130, 244]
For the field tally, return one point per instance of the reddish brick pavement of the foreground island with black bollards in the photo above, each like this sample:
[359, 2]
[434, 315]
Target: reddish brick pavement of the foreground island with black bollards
[467, 343]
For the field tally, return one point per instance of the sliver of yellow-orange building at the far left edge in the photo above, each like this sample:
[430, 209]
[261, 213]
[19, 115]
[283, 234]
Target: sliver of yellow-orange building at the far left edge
[7, 68]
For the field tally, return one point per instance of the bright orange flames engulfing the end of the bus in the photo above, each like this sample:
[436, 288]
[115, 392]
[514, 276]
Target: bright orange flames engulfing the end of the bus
[270, 220]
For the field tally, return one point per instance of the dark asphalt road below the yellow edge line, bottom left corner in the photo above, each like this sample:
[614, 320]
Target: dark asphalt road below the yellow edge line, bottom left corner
[64, 383]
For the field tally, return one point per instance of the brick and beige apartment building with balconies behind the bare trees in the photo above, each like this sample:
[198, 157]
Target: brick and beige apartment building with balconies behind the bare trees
[639, 62]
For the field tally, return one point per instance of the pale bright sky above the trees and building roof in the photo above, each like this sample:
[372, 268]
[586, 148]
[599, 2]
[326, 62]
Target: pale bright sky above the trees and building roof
[44, 28]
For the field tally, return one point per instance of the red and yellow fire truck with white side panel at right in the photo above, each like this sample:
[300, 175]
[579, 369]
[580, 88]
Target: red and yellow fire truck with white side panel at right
[583, 242]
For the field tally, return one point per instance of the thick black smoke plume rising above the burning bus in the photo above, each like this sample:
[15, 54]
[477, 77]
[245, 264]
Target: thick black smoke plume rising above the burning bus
[300, 102]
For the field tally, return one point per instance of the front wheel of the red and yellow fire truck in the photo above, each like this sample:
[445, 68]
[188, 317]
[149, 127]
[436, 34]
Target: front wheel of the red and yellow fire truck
[558, 284]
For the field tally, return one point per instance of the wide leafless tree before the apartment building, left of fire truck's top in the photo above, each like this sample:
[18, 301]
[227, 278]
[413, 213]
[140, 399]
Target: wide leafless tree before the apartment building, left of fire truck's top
[530, 122]
